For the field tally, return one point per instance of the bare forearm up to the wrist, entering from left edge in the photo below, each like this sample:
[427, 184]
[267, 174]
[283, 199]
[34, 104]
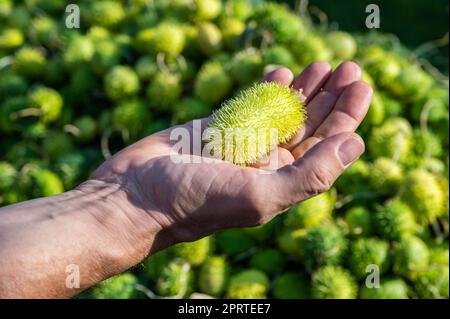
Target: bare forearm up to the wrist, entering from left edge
[94, 229]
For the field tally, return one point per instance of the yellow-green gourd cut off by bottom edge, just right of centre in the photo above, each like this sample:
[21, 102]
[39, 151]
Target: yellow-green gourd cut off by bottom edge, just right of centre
[248, 284]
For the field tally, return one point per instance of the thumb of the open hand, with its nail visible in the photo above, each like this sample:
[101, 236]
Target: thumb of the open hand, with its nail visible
[317, 170]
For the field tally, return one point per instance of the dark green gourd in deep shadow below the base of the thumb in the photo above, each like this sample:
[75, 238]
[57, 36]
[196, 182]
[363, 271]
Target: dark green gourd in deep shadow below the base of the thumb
[234, 241]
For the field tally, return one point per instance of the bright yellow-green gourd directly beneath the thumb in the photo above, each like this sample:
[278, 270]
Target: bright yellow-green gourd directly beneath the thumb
[311, 212]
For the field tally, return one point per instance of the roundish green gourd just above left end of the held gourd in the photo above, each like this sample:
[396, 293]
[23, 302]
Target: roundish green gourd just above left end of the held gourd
[212, 83]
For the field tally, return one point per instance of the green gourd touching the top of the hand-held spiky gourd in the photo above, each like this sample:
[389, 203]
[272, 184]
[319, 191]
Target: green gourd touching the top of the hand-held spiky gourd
[246, 66]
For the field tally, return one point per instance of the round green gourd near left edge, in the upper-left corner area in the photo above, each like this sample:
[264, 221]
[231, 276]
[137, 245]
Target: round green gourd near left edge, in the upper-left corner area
[29, 62]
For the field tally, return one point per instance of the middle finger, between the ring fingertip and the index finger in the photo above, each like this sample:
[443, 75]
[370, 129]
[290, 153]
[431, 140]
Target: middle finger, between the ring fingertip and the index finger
[323, 102]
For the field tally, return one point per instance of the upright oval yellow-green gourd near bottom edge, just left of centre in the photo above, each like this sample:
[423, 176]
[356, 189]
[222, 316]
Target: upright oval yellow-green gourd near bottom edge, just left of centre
[213, 276]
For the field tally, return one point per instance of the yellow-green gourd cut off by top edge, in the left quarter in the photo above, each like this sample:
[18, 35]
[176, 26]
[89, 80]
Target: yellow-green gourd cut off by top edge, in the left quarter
[105, 13]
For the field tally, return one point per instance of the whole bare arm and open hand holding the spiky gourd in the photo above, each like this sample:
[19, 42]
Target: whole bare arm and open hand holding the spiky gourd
[139, 201]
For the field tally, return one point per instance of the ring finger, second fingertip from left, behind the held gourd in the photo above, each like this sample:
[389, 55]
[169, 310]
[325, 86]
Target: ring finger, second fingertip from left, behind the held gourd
[312, 79]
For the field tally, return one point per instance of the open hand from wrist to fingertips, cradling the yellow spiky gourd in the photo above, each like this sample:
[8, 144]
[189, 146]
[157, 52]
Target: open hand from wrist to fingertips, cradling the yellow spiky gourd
[185, 201]
